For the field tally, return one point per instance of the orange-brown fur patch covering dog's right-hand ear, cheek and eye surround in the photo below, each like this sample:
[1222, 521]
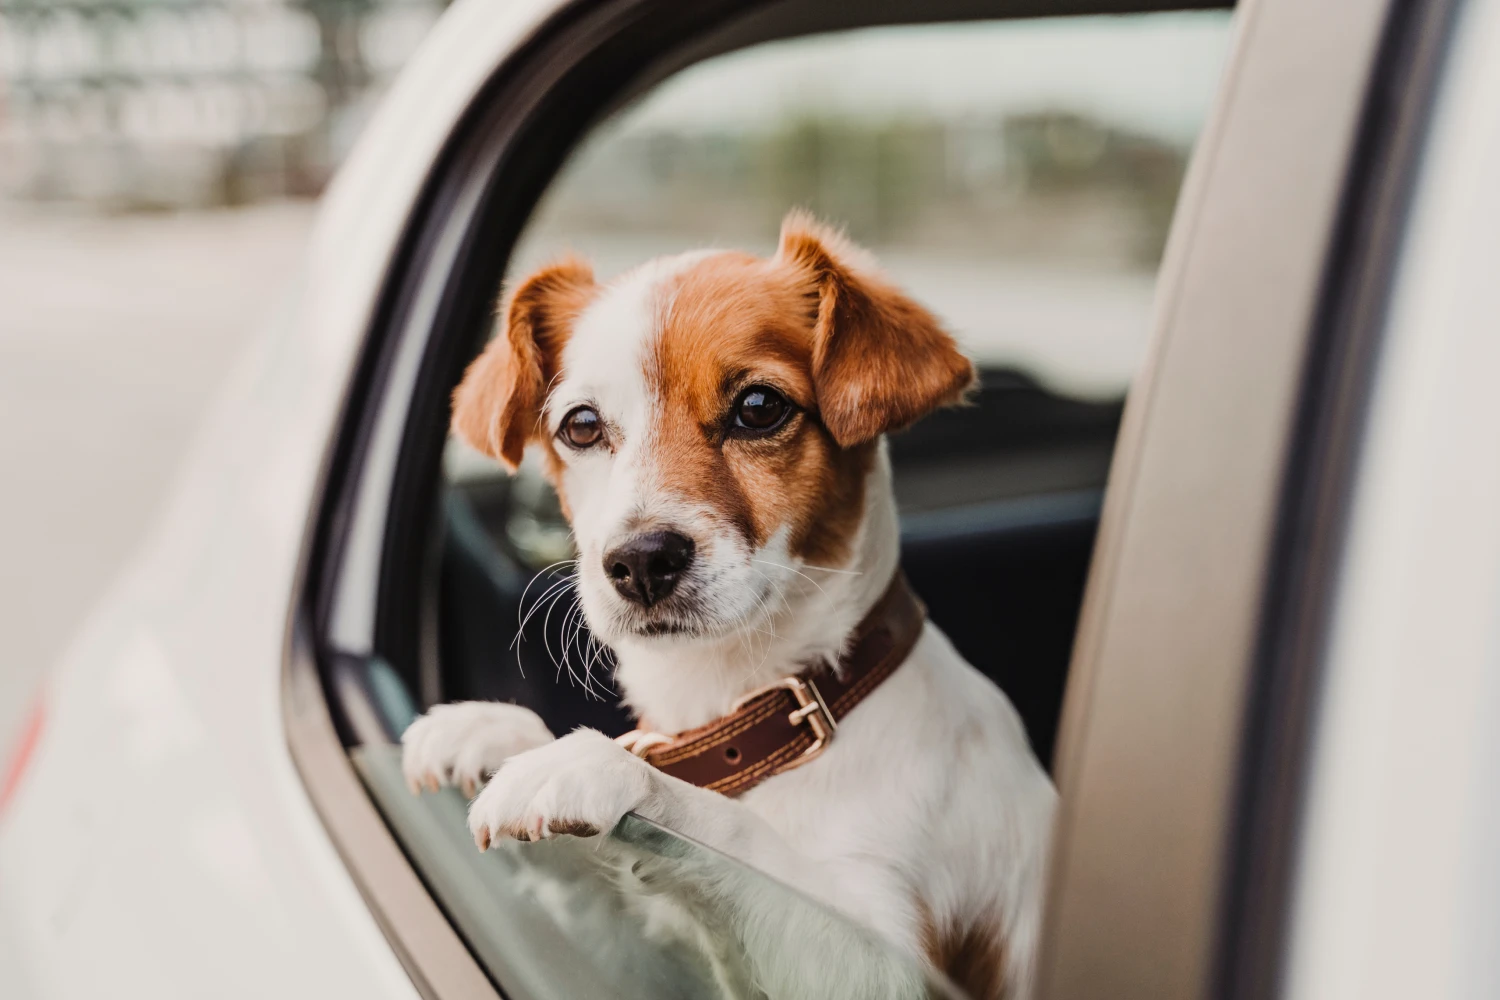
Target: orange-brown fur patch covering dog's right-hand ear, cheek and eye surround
[854, 355]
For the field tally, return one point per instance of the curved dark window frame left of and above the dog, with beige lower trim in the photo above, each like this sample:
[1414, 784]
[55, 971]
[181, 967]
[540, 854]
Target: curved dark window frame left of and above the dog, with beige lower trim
[506, 142]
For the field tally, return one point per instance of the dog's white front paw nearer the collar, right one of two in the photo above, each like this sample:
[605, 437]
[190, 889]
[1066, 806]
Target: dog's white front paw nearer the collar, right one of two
[580, 785]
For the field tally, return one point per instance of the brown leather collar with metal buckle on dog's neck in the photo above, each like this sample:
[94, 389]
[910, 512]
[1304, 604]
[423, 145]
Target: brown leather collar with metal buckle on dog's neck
[788, 723]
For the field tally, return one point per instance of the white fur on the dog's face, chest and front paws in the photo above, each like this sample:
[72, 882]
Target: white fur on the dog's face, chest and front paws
[929, 804]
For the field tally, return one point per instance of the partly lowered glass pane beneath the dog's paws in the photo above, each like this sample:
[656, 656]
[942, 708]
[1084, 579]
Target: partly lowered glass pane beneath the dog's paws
[568, 920]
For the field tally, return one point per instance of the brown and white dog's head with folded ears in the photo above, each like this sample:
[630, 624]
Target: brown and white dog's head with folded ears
[709, 421]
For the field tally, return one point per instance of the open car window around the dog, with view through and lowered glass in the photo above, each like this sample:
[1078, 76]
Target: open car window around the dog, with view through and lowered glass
[1019, 179]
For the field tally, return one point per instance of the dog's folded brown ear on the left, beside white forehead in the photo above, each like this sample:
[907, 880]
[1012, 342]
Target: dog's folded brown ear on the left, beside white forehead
[497, 409]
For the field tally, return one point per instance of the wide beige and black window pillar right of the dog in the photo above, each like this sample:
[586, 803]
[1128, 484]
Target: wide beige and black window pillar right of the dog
[1199, 653]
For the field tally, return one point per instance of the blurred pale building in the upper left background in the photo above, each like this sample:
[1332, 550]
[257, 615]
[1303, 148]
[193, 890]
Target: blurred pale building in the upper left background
[143, 104]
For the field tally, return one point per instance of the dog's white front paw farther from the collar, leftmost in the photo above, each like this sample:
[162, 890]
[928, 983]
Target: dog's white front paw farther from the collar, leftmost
[464, 743]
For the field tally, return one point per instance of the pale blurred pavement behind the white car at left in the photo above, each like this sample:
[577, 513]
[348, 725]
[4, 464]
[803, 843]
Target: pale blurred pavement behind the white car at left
[115, 334]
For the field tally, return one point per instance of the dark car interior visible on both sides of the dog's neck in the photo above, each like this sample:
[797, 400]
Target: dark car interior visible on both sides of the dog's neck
[1000, 503]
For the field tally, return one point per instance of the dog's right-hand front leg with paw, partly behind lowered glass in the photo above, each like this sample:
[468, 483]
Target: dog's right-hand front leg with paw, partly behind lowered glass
[584, 783]
